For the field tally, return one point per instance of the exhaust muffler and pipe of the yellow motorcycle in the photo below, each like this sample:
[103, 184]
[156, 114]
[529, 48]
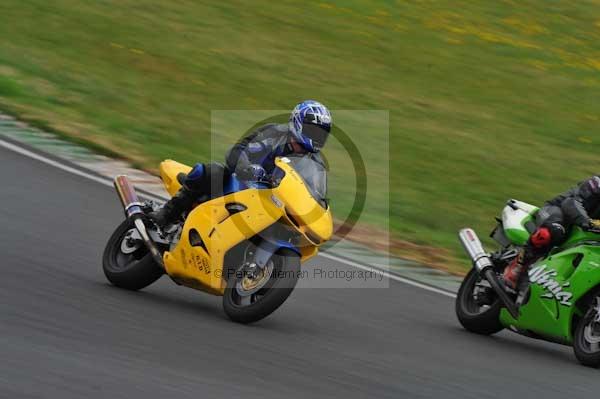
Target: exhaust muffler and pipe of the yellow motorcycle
[133, 210]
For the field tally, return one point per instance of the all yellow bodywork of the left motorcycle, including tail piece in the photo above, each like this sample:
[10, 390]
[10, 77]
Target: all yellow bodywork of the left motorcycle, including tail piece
[210, 231]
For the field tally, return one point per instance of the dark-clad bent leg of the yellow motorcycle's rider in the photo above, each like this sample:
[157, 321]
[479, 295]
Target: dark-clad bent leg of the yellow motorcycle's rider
[203, 179]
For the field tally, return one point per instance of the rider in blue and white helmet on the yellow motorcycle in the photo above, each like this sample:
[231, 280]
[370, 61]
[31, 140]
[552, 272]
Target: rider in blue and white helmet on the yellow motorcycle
[253, 157]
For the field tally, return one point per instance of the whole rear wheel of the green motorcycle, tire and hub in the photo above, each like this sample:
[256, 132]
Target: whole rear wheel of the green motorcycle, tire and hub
[477, 306]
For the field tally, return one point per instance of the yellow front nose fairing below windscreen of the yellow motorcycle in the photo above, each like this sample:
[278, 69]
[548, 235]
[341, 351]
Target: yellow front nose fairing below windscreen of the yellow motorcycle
[312, 220]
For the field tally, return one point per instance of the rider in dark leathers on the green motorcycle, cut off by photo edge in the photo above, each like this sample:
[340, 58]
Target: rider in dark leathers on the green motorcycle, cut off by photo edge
[579, 206]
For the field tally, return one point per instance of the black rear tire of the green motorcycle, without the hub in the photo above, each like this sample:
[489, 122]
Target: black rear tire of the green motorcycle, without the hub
[484, 322]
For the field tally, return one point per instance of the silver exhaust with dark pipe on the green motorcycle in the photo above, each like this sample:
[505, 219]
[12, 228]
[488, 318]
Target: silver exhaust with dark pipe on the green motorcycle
[485, 267]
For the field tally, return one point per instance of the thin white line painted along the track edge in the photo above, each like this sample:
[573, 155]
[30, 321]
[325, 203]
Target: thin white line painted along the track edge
[108, 182]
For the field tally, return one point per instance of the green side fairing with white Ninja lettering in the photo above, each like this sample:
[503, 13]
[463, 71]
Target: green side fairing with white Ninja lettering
[558, 277]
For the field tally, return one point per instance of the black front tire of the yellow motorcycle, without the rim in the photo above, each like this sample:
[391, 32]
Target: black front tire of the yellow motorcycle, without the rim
[268, 299]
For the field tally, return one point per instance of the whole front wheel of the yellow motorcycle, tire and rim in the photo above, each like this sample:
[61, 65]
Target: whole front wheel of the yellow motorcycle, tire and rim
[253, 295]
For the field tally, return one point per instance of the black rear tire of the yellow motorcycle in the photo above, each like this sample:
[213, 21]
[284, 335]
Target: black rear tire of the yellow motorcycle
[132, 272]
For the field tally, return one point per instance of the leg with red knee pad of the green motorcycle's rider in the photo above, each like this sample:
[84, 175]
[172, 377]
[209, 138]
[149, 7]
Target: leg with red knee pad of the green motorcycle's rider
[551, 232]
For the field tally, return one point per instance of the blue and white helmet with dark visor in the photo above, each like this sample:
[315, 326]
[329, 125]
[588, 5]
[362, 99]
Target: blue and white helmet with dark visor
[310, 123]
